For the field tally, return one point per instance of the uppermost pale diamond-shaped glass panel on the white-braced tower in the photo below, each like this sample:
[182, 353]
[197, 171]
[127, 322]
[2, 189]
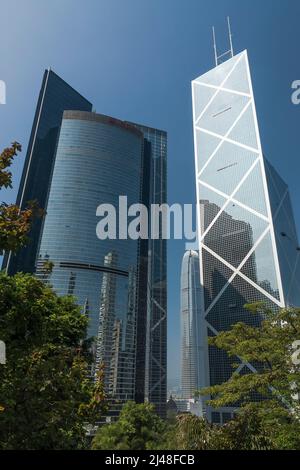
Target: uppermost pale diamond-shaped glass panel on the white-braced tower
[222, 112]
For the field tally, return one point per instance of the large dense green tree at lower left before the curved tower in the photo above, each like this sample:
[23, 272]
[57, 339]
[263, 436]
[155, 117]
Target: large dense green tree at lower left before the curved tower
[46, 394]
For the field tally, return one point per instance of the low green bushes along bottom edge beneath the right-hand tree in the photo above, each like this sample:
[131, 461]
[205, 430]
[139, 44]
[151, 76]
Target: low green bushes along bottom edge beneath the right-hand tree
[254, 428]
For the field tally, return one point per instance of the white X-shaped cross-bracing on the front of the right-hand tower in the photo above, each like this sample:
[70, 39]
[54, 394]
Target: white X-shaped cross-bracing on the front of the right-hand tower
[269, 230]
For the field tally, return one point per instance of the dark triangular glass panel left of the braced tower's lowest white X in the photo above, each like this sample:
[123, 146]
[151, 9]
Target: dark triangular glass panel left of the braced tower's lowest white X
[215, 276]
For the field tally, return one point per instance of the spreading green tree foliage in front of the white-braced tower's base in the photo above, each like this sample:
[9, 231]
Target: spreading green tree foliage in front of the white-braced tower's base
[269, 346]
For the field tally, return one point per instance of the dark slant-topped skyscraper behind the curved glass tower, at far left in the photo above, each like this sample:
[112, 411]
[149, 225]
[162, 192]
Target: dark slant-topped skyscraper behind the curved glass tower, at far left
[55, 96]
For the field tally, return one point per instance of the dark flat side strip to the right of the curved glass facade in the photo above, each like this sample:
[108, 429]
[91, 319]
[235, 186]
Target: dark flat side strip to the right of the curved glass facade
[151, 379]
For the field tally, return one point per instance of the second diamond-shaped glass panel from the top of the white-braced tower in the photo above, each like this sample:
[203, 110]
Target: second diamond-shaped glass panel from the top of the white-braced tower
[227, 167]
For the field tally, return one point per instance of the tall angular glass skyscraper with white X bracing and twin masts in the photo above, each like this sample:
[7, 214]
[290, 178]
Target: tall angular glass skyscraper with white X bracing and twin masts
[248, 244]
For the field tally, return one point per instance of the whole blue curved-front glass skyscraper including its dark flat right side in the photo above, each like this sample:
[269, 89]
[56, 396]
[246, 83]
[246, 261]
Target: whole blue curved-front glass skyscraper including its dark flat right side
[119, 283]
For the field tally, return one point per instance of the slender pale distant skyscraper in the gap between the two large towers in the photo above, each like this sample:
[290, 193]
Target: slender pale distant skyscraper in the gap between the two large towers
[190, 316]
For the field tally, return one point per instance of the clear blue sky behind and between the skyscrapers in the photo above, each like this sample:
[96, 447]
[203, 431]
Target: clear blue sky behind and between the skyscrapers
[134, 59]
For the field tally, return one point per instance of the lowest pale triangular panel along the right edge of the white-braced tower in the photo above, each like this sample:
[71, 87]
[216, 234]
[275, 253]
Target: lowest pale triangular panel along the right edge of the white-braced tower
[252, 192]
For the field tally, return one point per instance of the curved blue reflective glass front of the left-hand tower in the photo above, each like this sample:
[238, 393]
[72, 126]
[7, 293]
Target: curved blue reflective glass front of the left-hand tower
[98, 158]
